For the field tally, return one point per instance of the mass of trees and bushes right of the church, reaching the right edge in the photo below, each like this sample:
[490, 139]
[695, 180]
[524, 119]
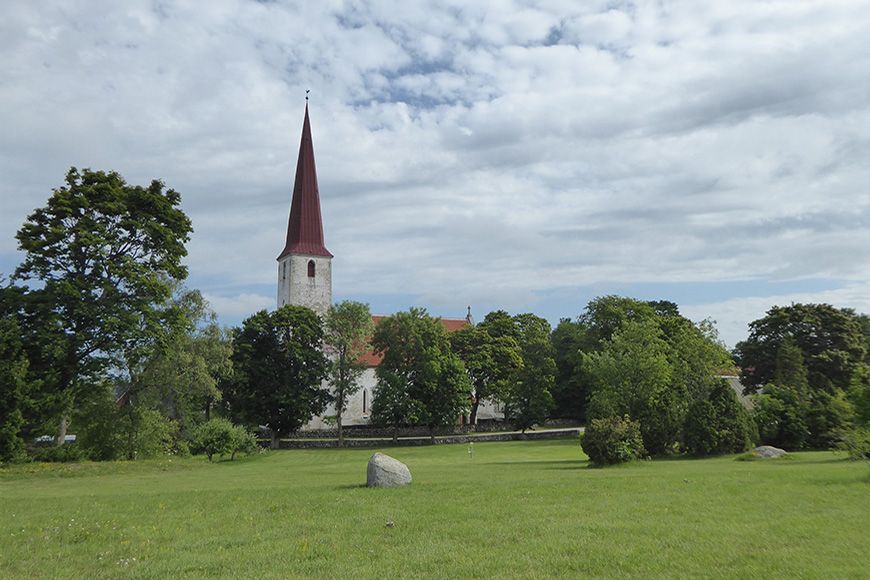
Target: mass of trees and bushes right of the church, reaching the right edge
[647, 381]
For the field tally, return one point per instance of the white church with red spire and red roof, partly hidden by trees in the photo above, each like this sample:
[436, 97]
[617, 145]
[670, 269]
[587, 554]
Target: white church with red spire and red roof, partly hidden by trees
[305, 279]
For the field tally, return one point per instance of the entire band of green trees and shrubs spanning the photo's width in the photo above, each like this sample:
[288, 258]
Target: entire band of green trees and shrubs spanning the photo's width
[100, 338]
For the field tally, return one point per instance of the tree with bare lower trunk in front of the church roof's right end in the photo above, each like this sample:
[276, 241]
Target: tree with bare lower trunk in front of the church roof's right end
[491, 358]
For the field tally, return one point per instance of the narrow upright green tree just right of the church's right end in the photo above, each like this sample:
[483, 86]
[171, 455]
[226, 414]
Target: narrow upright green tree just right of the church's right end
[528, 401]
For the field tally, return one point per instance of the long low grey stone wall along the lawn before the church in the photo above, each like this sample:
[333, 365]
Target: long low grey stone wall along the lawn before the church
[309, 443]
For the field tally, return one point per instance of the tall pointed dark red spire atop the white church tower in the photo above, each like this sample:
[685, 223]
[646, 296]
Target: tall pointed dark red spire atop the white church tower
[305, 228]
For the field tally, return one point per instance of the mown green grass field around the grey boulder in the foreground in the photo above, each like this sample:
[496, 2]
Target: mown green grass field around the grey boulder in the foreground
[516, 510]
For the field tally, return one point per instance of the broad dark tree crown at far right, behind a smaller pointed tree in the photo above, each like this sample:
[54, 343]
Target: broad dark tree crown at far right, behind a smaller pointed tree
[831, 341]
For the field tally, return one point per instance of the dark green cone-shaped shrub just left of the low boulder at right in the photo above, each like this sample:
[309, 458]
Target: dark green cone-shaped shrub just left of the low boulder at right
[718, 424]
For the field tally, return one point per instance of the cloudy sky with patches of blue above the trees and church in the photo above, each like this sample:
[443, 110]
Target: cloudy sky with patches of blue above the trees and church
[504, 154]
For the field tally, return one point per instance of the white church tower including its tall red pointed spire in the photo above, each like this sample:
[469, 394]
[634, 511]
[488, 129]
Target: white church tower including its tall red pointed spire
[305, 265]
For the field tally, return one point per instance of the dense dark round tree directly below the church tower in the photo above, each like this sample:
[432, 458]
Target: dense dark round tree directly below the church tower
[278, 368]
